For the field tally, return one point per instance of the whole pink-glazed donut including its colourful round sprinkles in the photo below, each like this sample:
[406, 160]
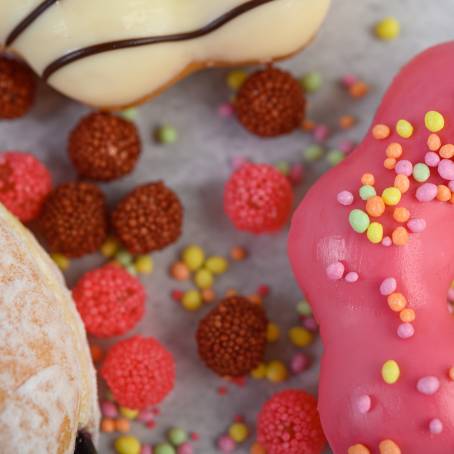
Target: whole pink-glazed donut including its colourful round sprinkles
[371, 247]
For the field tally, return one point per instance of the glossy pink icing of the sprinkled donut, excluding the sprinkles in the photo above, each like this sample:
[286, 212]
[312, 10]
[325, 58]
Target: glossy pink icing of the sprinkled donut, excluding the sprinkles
[358, 329]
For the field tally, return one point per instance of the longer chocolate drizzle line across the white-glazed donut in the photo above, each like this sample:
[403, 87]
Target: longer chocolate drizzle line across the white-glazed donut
[95, 49]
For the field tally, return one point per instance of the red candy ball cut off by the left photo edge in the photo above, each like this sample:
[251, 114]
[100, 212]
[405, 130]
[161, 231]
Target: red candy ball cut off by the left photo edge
[24, 184]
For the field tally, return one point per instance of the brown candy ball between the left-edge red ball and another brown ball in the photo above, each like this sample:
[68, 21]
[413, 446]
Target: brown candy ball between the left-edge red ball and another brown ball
[74, 219]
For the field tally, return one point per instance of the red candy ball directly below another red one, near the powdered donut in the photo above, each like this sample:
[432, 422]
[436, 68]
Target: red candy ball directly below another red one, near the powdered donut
[139, 371]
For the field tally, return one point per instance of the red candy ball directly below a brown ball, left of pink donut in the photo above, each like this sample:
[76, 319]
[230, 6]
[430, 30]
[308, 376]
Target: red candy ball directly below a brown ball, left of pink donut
[258, 198]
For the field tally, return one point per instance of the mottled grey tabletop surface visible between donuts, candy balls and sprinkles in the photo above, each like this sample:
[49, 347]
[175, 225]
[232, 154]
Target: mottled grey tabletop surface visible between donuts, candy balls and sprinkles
[197, 166]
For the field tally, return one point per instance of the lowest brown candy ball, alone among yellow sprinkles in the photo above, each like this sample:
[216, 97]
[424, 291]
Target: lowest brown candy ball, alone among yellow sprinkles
[232, 337]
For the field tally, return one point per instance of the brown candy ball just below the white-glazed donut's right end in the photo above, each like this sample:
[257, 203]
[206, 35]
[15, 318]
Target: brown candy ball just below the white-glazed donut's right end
[270, 103]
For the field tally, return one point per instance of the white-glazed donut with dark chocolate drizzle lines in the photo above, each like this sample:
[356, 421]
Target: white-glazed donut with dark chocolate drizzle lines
[117, 53]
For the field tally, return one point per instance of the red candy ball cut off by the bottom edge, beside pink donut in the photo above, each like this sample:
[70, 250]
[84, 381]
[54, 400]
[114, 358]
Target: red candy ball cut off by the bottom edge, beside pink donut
[289, 423]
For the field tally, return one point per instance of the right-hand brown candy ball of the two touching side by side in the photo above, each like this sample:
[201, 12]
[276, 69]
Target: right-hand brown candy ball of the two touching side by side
[149, 218]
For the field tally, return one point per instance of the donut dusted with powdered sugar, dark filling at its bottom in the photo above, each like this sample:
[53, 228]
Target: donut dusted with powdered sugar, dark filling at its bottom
[48, 397]
